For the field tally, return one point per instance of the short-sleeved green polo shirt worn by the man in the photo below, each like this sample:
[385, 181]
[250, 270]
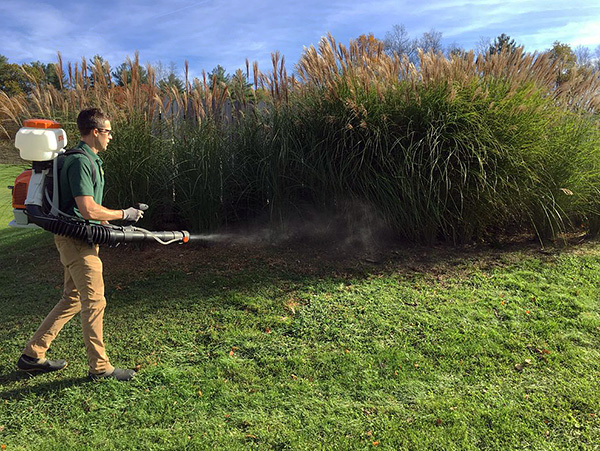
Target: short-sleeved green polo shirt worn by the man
[76, 180]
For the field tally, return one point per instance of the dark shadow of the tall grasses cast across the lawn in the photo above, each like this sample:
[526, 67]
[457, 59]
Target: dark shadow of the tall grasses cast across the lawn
[151, 277]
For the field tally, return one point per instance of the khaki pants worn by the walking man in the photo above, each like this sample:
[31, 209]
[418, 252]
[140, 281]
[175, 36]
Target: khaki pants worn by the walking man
[83, 292]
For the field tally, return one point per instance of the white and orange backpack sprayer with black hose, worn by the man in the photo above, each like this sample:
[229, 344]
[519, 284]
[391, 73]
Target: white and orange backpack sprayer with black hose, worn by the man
[35, 193]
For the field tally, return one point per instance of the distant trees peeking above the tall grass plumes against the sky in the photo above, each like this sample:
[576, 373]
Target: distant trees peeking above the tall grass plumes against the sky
[22, 78]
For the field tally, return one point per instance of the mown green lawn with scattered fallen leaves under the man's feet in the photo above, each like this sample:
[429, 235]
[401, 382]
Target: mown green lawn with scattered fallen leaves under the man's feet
[297, 348]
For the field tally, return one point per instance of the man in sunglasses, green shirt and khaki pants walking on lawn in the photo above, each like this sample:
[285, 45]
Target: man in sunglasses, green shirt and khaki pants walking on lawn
[81, 195]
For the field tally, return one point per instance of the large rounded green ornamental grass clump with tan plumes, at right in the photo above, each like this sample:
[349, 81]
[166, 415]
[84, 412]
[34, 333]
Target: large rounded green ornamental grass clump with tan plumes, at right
[454, 149]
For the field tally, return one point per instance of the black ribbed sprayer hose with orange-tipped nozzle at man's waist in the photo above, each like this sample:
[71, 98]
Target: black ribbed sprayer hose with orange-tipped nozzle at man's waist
[100, 234]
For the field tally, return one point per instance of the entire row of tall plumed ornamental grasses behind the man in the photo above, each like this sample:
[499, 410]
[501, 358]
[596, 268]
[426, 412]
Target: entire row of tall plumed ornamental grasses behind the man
[456, 149]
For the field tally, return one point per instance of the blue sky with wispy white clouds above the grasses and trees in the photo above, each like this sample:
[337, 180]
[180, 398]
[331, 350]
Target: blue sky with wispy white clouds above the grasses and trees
[226, 32]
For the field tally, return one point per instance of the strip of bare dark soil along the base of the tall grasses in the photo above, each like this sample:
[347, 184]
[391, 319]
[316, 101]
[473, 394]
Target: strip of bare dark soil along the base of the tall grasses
[306, 259]
